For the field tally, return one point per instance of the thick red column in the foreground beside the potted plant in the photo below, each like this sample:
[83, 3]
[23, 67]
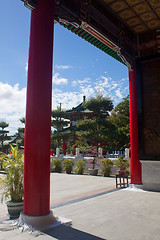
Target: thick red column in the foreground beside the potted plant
[38, 111]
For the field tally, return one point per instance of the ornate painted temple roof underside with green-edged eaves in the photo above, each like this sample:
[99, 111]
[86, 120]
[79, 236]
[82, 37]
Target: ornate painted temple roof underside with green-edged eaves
[124, 29]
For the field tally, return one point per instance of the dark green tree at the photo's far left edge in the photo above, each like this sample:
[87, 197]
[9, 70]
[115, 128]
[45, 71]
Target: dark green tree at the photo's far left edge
[3, 135]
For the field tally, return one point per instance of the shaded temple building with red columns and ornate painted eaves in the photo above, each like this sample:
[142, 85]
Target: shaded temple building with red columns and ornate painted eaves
[127, 30]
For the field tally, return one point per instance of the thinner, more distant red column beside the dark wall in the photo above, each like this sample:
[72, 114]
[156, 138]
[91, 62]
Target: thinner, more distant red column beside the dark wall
[135, 163]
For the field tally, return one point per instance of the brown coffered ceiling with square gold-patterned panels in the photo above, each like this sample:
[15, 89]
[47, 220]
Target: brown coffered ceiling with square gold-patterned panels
[139, 15]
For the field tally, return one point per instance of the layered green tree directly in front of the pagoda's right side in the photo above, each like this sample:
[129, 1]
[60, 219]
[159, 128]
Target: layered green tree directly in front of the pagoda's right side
[97, 129]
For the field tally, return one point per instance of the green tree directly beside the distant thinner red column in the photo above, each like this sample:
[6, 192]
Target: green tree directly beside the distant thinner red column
[120, 118]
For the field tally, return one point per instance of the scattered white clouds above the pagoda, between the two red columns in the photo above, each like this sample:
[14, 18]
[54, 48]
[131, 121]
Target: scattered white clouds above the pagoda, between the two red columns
[89, 87]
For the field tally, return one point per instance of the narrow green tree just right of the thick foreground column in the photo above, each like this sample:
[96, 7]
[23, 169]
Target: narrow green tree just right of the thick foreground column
[59, 121]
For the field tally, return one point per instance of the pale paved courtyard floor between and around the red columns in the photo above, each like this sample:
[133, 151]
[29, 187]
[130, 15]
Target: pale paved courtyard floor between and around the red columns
[98, 211]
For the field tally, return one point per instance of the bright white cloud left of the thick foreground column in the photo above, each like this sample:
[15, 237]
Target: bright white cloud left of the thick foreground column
[12, 105]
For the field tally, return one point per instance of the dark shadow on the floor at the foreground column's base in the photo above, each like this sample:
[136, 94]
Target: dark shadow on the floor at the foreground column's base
[63, 232]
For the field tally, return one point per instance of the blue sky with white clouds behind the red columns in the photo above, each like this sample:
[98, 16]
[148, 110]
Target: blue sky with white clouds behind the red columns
[78, 67]
